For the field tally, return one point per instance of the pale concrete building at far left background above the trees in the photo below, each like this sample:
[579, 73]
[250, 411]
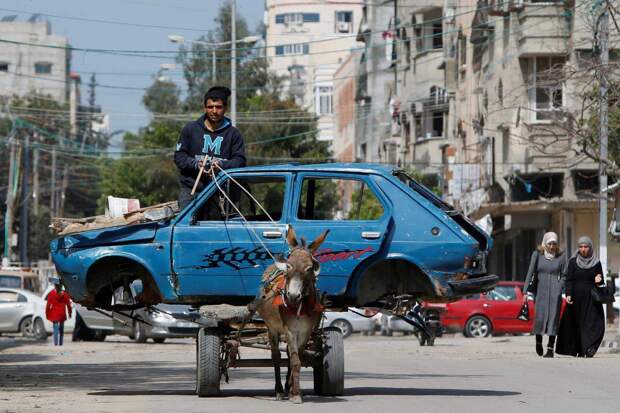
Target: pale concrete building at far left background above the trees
[26, 68]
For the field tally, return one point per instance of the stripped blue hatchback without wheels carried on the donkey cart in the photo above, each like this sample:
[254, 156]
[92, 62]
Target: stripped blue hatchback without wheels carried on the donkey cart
[389, 236]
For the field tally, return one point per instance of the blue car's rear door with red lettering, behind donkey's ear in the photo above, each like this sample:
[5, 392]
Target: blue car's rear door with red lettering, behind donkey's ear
[353, 209]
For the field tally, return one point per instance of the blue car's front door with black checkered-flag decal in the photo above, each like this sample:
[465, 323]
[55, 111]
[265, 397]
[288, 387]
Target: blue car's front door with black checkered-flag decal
[223, 245]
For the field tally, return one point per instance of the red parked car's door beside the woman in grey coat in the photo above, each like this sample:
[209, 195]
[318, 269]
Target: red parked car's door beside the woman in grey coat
[502, 307]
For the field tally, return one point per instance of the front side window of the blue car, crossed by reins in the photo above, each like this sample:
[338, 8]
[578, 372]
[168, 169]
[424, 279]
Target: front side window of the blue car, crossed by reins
[269, 191]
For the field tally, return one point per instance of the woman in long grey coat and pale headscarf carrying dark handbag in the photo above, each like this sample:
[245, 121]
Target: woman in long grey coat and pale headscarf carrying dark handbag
[544, 283]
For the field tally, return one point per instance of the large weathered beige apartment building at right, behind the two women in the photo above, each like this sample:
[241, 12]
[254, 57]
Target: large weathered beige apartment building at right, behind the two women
[516, 73]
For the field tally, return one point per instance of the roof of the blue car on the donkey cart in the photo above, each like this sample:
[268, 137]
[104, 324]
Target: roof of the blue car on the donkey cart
[321, 167]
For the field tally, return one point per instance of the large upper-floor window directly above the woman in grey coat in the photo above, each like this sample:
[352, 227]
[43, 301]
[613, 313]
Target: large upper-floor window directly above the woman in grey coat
[545, 91]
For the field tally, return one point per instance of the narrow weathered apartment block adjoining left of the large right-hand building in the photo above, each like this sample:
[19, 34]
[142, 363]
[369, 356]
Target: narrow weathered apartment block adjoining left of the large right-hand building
[421, 85]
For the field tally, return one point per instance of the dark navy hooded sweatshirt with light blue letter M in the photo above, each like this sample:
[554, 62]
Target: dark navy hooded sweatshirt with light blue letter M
[196, 143]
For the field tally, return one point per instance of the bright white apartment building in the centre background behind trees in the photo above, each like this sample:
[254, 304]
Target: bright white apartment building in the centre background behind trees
[307, 40]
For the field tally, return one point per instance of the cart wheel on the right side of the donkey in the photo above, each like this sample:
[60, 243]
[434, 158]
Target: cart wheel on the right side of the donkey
[328, 368]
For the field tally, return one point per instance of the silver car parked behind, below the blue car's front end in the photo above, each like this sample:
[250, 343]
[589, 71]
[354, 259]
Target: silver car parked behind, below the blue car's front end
[157, 323]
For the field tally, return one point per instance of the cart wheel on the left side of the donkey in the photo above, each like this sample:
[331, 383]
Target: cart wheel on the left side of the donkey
[208, 363]
